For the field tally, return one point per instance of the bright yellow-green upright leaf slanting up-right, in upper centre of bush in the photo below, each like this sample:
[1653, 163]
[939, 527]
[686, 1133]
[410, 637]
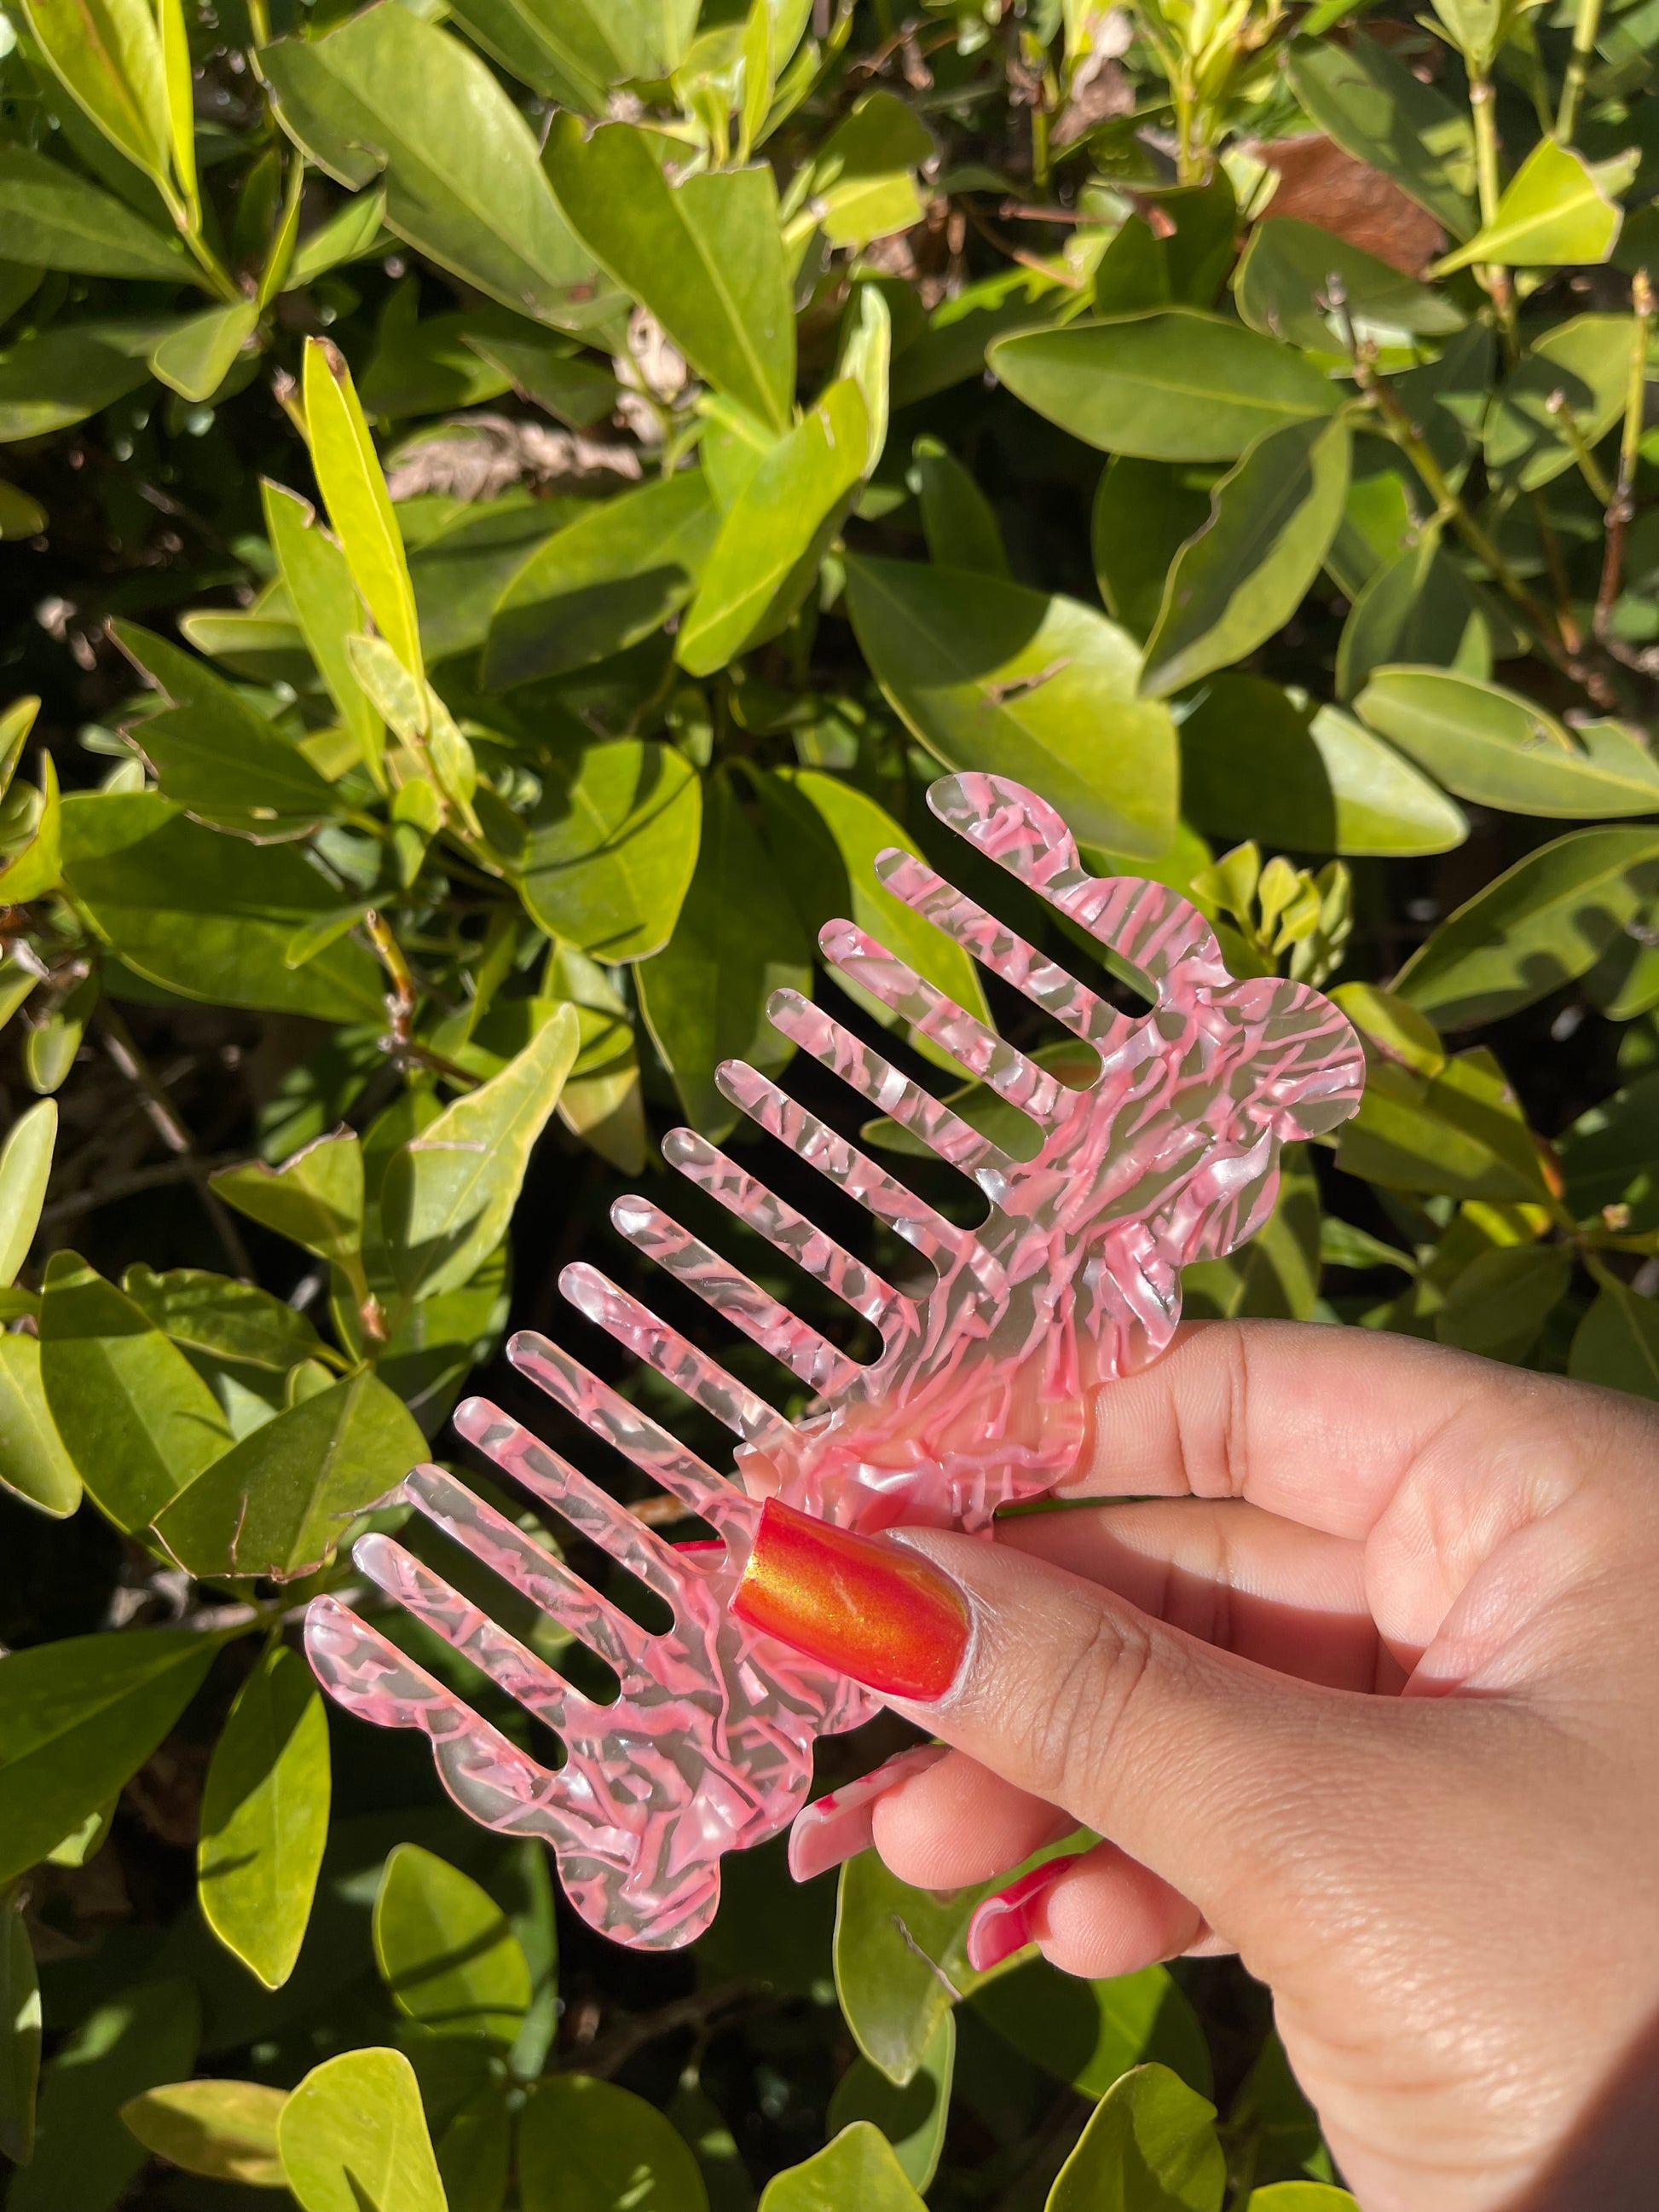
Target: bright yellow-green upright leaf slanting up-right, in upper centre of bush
[771, 543]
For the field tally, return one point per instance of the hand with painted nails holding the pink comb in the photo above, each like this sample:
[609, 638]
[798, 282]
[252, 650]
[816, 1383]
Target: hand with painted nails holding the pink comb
[1368, 1691]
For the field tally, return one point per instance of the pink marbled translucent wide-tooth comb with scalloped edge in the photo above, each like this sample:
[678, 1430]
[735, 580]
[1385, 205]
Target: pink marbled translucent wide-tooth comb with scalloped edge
[974, 1401]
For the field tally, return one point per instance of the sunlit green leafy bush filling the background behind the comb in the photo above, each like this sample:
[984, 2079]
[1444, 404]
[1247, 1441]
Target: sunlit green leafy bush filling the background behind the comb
[510, 508]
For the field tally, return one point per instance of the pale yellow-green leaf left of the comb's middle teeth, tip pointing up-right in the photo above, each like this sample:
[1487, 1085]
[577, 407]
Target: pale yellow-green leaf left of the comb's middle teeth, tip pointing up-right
[450, 1193]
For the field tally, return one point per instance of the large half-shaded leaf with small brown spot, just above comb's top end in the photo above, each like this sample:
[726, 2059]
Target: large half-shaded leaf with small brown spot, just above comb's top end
[1041, 689]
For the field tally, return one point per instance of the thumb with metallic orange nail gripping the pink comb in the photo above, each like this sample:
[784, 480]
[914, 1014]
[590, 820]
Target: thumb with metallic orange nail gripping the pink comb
[1220, 1775]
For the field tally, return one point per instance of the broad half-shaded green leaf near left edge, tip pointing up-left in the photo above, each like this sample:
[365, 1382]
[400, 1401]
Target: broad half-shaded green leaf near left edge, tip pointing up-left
[134, 1415]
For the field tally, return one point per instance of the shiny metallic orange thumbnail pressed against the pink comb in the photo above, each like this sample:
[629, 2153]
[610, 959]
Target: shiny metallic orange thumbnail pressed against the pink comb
[870, 1609]
